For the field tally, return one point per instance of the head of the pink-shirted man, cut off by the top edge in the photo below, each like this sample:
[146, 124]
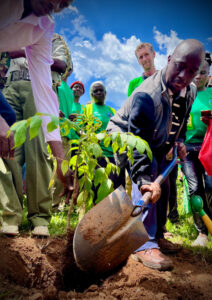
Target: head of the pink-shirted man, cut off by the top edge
[45, 7]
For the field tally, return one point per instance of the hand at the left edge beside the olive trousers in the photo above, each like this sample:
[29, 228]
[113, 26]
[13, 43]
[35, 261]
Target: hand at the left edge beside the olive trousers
[6, 144]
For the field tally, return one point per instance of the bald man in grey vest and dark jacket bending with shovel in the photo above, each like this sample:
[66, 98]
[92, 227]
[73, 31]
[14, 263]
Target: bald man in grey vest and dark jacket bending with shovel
[157, 111]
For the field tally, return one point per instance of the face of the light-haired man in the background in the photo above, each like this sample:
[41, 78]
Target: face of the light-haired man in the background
[146, 58]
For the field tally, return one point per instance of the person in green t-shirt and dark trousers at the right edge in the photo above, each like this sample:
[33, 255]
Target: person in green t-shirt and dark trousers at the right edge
[199, 183]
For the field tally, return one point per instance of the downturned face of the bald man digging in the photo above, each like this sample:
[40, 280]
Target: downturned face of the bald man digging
[181, 70]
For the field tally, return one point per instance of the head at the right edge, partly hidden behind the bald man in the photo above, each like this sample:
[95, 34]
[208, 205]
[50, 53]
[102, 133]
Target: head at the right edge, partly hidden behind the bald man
[202, 77]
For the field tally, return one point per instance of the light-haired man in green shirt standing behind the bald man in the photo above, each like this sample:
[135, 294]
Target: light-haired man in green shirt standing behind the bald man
[145, 55]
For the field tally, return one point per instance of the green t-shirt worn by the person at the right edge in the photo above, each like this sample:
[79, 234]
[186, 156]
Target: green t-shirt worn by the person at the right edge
[196, 129]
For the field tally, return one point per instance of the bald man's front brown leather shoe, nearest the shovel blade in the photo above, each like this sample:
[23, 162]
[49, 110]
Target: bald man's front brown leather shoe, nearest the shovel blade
[153, 259]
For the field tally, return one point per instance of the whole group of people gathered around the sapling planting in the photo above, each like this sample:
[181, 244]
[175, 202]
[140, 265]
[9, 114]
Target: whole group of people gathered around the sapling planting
[163, 108]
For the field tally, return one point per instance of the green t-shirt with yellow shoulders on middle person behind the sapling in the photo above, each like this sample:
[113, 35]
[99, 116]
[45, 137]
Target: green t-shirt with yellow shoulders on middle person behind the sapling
[103, 113]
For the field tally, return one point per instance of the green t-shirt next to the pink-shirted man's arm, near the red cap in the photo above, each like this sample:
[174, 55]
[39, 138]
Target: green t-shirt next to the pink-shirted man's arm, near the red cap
[68, 106]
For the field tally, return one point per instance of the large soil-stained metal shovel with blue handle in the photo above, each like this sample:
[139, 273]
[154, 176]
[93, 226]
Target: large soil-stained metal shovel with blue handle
[112, 230]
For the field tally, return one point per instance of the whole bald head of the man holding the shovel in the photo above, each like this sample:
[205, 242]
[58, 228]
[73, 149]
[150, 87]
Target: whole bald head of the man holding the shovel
[184, 64]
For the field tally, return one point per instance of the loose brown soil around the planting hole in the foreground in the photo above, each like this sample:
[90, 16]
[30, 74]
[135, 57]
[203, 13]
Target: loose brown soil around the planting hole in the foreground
[44, 269]
